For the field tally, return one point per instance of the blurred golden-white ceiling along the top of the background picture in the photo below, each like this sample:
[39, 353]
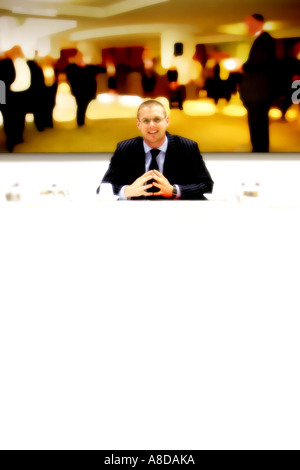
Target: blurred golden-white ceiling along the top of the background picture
[141, 21]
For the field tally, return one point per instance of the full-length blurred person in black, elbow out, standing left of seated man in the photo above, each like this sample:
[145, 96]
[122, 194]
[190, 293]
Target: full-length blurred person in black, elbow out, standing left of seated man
[82, 79]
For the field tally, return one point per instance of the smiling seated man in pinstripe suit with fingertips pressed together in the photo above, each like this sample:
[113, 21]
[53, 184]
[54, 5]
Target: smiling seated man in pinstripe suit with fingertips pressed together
[157, 165]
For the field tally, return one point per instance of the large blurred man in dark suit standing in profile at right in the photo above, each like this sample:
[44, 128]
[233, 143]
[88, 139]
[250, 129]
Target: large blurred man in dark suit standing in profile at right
[258, 83]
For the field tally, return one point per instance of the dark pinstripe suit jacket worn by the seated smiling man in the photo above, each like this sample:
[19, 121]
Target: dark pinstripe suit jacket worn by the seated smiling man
[183, 166]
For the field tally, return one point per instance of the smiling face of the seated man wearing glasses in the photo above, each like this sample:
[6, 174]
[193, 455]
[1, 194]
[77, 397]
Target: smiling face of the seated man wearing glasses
[153, 124]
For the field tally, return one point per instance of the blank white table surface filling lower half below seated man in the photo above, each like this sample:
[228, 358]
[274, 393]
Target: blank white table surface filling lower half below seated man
[141, 325]
